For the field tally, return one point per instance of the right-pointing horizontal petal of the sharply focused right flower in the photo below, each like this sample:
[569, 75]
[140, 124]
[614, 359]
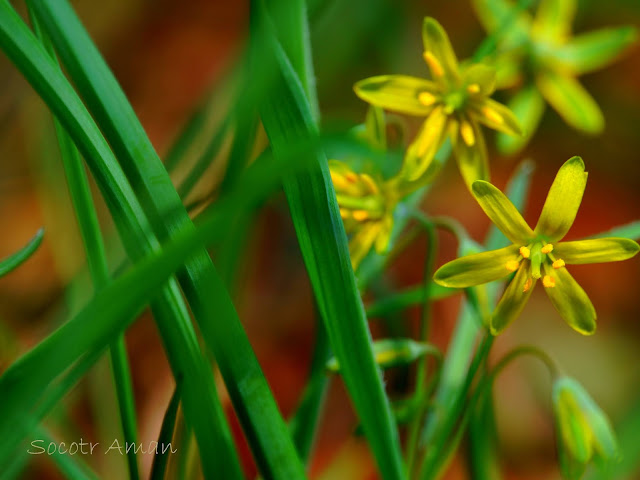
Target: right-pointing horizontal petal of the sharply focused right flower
[596, 251]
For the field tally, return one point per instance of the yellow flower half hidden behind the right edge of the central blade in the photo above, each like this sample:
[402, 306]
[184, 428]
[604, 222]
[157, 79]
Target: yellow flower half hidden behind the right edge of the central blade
[366, 207]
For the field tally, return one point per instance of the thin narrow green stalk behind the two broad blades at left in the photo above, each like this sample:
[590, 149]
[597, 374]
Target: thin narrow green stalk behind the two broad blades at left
[82, 201]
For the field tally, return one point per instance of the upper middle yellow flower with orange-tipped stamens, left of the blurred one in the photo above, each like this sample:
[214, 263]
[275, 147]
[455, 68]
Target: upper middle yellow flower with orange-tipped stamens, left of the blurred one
[454, 102]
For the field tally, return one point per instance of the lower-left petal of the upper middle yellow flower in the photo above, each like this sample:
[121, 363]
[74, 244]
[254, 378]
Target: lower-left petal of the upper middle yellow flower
[420, 154]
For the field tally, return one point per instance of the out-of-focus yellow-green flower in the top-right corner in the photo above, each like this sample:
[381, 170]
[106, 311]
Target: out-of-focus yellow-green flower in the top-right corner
[542, 50]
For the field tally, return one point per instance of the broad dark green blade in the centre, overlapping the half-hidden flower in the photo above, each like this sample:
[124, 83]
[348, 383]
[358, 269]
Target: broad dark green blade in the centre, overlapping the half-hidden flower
[287, 118]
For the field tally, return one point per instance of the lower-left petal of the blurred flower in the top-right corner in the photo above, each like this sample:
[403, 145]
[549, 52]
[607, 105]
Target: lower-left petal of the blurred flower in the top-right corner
[528, 107]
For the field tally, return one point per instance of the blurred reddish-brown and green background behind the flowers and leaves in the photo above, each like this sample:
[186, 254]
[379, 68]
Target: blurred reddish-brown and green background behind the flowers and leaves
[169, 56]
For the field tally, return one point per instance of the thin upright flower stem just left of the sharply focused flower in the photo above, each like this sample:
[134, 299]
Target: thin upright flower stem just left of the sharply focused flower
[423, 335]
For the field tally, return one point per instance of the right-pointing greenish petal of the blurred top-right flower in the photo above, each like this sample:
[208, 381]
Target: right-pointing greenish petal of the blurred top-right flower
[591, 51]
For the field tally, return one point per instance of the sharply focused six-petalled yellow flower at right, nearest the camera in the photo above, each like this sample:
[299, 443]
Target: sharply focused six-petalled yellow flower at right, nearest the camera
[537, 253]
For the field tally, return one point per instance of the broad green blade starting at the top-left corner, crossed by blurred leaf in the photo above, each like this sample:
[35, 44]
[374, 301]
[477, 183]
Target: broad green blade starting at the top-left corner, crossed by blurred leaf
[172, 316]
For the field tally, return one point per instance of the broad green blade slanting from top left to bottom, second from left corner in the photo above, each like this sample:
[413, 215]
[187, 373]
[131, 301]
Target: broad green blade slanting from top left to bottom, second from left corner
[257, 410]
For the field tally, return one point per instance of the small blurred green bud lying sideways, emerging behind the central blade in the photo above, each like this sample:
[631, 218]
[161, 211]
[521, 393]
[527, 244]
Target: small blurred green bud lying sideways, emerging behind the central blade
[394, 352]
